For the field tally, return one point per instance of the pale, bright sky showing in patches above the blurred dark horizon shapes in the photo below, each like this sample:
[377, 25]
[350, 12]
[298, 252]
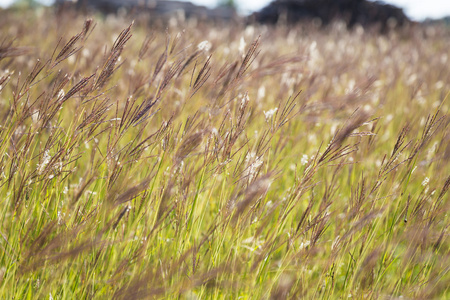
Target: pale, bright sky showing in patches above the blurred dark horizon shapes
[417, 10]
